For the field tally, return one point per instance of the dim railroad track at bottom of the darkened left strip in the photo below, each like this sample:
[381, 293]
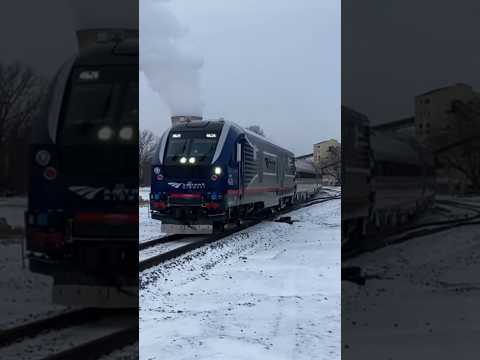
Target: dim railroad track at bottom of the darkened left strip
[79, 334]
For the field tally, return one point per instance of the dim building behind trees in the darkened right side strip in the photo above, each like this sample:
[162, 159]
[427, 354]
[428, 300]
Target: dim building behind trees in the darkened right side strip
[447, 121]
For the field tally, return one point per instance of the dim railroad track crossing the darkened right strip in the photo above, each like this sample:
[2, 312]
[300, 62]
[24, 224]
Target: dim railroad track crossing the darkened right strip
[379, 241]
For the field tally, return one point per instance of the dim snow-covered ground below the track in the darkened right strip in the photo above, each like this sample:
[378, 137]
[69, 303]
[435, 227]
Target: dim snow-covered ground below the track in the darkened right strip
[419, 294]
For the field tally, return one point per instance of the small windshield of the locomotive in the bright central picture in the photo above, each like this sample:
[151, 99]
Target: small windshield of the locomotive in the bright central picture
[190, 148]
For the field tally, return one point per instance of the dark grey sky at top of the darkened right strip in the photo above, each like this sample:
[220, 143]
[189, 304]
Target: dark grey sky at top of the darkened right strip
[394, 50]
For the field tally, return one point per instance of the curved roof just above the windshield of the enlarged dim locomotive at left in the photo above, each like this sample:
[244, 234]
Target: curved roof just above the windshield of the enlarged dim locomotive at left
[120, 53]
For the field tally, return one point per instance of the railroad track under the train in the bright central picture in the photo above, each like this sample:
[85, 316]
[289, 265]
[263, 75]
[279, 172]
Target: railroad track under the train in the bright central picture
[182, 244]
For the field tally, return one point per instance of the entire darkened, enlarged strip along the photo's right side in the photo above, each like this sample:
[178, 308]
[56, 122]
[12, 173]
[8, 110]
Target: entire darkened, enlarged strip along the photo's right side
[410, 166]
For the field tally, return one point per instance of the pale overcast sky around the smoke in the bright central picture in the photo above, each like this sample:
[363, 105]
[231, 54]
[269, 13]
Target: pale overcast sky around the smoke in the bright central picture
[275, 63]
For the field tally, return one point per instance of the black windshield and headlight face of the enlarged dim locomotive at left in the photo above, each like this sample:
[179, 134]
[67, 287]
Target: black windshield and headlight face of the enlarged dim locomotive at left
[98, 126]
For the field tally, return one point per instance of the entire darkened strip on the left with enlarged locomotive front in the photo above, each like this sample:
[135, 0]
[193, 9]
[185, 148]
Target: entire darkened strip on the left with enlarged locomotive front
[69, 178]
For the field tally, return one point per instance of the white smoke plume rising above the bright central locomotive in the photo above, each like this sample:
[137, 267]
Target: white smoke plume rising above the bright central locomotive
[172, 73]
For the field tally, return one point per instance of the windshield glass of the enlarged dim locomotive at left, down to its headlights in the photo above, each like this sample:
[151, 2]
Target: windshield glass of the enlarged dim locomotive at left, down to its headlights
[100, 103]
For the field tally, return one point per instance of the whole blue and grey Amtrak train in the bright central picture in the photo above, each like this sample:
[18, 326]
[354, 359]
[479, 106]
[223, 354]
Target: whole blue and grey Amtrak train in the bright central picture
[209, 173]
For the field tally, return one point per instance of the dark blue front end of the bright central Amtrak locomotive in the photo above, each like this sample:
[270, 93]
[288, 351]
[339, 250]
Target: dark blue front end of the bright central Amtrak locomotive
[190, 178]
